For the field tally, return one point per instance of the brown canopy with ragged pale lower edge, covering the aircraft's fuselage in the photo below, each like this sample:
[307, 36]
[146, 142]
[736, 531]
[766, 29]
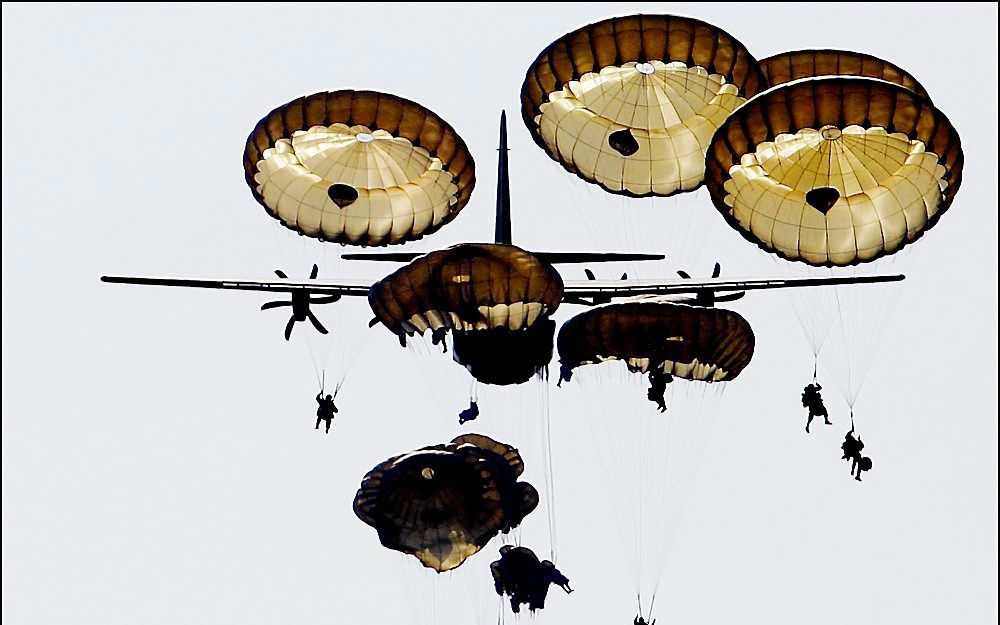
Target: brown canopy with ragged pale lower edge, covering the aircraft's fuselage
[472, 286]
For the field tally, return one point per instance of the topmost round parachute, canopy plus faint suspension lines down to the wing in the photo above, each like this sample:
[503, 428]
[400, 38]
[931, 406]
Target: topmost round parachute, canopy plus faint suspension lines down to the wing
[629, 105]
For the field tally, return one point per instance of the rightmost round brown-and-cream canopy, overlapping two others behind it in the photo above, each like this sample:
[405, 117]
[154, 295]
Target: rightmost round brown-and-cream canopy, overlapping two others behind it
[835, 171]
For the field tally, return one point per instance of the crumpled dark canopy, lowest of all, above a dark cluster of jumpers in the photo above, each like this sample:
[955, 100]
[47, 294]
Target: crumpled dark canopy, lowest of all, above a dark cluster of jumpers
[443, 503]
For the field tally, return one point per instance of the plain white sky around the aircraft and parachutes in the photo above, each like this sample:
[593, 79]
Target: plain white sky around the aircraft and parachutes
[159, 462]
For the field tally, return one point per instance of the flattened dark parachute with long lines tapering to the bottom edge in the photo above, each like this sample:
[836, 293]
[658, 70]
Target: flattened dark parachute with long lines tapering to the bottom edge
[649, 459]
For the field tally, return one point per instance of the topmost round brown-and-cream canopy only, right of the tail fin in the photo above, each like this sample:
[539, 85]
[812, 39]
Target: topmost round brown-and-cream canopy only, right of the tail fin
[631, 103]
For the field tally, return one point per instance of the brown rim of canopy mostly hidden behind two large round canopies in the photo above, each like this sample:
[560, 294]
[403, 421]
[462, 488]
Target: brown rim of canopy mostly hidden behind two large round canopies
[797, 64]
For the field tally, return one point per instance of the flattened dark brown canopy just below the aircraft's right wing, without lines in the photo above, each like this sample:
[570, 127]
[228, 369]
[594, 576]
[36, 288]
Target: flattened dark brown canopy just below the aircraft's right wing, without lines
[689, 342]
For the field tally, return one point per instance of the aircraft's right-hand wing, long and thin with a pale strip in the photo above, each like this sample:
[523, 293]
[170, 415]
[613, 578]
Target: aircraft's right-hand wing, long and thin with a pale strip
[604, 289]
